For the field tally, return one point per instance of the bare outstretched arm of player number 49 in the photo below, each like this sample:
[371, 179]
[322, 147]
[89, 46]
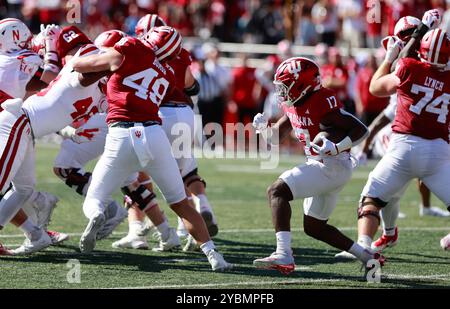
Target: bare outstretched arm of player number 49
[108, 61]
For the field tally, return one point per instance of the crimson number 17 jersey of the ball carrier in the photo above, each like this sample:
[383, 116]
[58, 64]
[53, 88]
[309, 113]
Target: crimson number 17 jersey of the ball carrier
[305, 118]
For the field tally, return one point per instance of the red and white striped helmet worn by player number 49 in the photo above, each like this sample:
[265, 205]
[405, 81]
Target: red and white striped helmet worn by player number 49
[165, 41]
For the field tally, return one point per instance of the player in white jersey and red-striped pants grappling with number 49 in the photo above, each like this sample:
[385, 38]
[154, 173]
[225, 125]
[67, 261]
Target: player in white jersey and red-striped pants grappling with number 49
[64, 101]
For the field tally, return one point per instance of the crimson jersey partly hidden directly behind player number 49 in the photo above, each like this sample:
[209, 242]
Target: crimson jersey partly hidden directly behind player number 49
[179, 64]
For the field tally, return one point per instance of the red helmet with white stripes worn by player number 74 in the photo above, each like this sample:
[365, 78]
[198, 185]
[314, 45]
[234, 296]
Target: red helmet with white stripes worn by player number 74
[435, 48]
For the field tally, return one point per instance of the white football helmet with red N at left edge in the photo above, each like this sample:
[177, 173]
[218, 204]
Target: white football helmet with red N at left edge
[14, 35]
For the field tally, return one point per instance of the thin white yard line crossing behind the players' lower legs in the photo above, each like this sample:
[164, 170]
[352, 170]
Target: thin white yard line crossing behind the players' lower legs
[268, 230]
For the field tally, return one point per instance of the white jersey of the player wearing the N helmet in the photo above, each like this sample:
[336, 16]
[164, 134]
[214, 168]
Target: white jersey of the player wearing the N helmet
[16, 70]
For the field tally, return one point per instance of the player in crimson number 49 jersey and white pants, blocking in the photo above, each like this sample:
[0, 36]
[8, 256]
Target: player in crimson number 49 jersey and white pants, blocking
[135, 140]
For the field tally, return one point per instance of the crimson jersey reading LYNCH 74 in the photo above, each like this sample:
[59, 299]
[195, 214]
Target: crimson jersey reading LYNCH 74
[422, 100]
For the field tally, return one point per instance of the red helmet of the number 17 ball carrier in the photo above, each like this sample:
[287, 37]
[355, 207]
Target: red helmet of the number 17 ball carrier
[296, 77]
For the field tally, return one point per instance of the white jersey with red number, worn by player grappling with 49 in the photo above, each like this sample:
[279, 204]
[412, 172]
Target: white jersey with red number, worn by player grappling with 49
[64, 101]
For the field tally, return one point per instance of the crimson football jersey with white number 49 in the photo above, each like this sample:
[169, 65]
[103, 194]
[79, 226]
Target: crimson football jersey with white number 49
[138, 87]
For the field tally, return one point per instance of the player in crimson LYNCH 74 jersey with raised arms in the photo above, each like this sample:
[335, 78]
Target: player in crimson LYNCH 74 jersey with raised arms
[419, 146]
